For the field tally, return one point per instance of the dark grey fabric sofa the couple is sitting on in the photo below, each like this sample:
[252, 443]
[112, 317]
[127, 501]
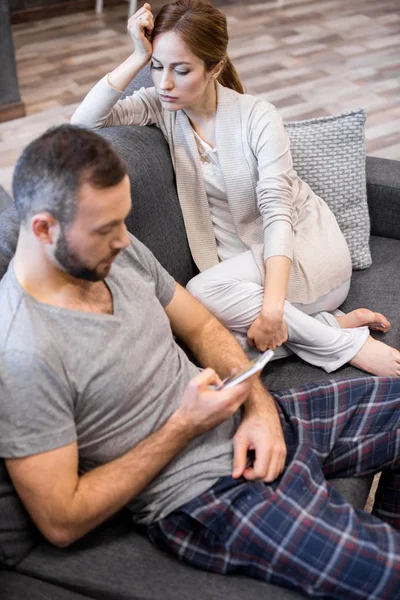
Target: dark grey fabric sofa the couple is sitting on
[116, 561]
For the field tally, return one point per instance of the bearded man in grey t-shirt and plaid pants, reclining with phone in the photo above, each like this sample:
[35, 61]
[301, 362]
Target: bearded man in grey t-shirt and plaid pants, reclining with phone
[103, 409]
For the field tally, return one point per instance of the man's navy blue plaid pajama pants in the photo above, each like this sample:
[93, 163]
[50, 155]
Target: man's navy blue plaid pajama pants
[299, 532]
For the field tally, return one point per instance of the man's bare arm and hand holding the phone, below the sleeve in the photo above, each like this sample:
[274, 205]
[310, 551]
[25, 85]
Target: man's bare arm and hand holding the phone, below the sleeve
[66, 506]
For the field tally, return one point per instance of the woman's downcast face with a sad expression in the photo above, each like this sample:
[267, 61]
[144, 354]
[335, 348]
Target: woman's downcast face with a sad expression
[179, 76]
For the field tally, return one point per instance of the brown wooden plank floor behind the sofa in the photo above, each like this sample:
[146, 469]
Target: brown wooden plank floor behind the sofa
[308, 57]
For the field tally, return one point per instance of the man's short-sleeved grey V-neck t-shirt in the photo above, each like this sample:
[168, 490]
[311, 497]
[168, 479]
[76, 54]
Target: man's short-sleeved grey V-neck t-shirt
[107, 381]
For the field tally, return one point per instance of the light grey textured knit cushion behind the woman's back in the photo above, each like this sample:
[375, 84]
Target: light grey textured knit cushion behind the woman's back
[329, 154]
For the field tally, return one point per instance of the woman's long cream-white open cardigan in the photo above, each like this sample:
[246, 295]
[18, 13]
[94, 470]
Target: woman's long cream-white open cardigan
[275, 213]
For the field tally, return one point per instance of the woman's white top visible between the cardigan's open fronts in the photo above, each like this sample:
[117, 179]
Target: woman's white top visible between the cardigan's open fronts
[228, 242]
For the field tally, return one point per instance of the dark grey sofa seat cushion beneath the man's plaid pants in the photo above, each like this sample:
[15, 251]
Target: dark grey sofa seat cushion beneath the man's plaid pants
[116, 562]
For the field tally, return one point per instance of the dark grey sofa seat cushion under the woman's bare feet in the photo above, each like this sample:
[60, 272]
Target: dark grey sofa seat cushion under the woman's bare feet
[376, 288]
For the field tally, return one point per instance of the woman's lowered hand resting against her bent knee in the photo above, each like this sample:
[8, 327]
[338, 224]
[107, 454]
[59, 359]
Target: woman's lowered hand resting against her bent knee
[268, 331]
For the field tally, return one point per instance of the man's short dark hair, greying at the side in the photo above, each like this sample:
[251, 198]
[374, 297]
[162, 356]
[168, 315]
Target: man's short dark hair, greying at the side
[53, 167]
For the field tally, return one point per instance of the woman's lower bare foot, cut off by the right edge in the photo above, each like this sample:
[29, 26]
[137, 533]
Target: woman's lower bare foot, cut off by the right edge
[378, 358]
